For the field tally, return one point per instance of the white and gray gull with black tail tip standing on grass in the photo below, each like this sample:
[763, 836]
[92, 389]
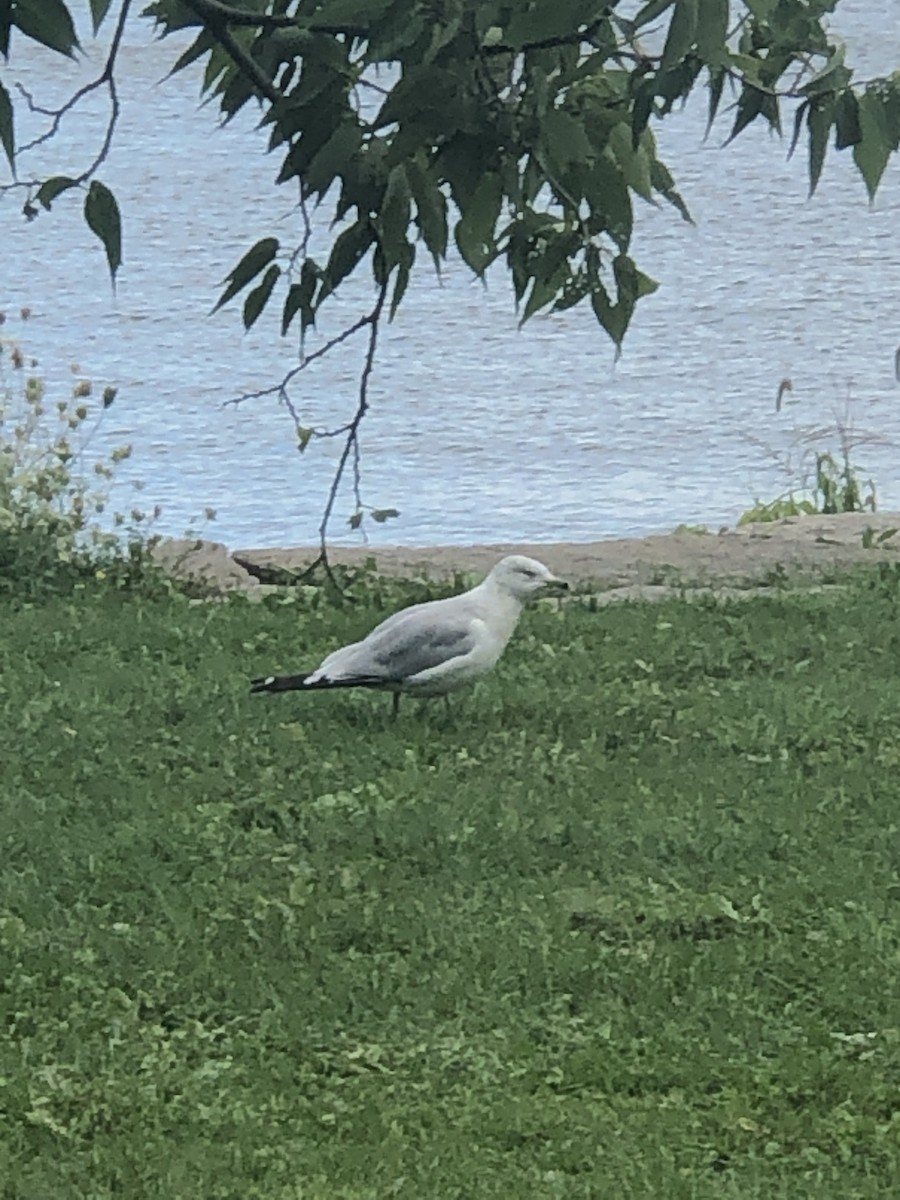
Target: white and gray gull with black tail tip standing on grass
[431, 650]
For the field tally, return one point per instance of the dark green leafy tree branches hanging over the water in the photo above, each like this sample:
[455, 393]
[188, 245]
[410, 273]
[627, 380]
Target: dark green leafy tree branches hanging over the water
[512, 131]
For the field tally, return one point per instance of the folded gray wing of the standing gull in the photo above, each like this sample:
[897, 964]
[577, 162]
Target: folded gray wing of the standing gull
[416, 640]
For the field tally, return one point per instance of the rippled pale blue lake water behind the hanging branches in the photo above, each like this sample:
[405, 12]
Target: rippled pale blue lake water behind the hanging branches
[479, 431]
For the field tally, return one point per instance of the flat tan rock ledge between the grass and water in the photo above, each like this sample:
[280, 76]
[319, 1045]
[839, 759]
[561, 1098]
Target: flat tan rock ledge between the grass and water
[799, 547]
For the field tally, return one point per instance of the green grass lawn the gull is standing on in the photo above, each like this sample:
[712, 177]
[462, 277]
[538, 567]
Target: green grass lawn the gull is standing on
[625, 923]
